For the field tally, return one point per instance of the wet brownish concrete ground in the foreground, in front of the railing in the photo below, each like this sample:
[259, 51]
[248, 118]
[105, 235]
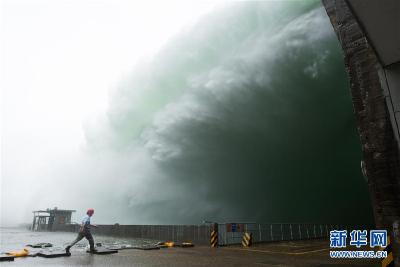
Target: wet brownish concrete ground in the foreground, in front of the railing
[294, 253]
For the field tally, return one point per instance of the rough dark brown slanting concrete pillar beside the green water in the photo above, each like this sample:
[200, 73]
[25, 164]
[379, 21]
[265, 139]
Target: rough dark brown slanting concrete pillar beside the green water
[377, 134]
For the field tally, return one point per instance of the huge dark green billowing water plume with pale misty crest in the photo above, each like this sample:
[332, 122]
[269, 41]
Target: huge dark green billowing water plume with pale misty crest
[246, 116]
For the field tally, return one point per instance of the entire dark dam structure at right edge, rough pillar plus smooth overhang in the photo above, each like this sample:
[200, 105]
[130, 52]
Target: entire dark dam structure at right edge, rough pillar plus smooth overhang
[369, 33]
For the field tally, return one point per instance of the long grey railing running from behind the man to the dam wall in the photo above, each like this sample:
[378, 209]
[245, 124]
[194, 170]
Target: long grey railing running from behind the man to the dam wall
[227, 234]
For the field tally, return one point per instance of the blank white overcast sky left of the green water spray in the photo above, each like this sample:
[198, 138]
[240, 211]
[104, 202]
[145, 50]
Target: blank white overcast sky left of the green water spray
[59, 60]
